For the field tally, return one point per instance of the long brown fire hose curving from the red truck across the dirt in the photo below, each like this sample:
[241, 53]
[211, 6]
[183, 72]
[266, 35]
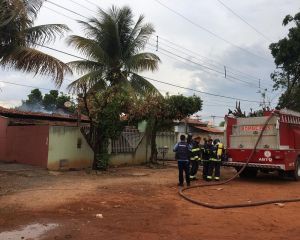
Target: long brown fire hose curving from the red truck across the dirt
[239, 205]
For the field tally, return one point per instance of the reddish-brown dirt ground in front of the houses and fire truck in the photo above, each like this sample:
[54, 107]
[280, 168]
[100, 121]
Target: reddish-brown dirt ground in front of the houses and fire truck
[142, 203]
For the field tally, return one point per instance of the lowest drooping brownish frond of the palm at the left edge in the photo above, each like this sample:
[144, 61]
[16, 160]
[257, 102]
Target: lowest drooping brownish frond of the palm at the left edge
[32, 60]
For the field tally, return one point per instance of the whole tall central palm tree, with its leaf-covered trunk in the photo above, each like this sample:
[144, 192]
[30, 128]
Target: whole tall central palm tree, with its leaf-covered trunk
[113, 46]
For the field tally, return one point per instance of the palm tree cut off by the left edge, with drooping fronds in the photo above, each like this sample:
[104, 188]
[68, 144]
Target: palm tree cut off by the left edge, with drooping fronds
[19, 39]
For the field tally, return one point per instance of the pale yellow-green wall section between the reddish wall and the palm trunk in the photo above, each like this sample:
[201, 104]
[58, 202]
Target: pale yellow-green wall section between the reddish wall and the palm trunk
[63, 152]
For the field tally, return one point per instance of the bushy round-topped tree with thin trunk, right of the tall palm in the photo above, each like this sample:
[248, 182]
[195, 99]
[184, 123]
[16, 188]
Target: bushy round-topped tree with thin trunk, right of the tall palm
[160, 112]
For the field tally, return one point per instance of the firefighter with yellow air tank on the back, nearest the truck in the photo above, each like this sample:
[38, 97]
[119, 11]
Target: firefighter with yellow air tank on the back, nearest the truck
[215, 159]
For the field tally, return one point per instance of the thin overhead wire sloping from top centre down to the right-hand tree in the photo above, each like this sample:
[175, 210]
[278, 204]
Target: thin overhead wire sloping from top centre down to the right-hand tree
[210, 32]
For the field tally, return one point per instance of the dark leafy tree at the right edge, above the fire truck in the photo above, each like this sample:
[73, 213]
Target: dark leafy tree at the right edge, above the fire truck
[286, 53]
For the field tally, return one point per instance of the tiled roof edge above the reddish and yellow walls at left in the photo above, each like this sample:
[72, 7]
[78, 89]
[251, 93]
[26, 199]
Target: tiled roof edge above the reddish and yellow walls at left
[39, 115]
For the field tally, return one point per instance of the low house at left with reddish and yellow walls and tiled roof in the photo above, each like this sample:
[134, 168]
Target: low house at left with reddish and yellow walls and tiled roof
[52, 141]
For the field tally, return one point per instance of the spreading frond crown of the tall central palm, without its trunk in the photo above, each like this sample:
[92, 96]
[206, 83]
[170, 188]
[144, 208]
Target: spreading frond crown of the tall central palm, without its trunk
[113, 46]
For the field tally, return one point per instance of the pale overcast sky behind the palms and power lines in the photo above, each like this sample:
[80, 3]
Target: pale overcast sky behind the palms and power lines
[197, 42]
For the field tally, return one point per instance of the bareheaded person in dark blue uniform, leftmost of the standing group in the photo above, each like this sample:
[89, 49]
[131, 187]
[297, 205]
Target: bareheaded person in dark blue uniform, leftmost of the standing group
[181, 150]
